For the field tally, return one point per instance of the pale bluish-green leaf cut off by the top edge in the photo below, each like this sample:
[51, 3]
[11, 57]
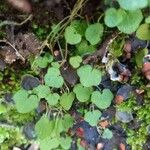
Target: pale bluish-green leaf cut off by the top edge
[133, 4]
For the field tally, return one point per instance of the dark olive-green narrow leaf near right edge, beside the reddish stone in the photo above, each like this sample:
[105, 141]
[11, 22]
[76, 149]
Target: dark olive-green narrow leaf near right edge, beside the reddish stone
[139, 57]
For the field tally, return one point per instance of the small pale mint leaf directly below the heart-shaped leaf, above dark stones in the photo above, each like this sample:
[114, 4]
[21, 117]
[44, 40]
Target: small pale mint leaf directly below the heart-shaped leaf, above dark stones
[92, 117]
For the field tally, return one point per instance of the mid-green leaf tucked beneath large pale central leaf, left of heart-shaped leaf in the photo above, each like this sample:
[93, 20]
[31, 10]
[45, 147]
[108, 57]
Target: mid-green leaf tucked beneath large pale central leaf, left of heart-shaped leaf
[82, 93]
